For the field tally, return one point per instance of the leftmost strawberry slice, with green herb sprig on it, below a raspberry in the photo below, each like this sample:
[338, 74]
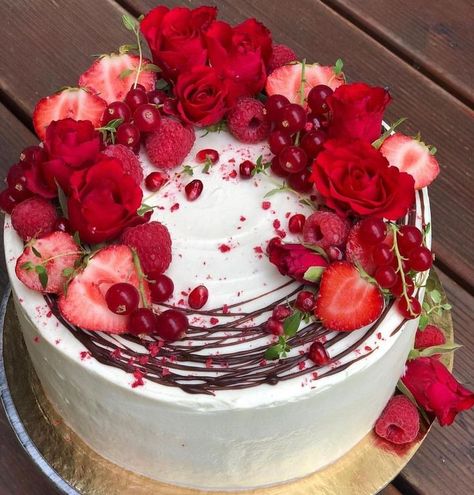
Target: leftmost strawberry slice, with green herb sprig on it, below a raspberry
[45, 259]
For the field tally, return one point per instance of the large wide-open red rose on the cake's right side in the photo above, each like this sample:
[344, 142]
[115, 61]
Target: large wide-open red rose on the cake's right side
[354, 177]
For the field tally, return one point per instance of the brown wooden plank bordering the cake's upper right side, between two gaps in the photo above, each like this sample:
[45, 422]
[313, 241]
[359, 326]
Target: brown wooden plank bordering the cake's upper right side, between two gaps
[315, 31]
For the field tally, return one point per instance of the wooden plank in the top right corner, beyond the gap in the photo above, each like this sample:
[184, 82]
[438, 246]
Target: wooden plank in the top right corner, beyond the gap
[436, 39]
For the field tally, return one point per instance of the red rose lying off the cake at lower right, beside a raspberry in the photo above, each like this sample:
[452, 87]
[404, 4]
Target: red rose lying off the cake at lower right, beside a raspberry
[436, 390]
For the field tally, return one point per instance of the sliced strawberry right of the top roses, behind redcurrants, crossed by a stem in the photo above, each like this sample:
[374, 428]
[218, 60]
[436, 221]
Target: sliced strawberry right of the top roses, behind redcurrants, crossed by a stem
[286, 80]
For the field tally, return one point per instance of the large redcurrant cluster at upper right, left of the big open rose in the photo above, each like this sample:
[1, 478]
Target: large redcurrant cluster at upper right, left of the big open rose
[297, 136]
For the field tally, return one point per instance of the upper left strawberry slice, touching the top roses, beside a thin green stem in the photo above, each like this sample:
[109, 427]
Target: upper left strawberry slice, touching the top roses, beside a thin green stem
[111, 76]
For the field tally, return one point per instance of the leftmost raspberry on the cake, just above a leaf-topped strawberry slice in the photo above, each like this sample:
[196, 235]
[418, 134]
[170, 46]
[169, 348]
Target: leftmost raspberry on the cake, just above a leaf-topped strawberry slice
[34, 217]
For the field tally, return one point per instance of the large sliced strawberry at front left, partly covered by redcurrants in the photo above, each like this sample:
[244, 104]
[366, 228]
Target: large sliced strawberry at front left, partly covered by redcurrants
[84, 302]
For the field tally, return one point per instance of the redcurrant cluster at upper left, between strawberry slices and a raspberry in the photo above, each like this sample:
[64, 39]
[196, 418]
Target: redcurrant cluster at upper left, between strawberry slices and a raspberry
[139, 114]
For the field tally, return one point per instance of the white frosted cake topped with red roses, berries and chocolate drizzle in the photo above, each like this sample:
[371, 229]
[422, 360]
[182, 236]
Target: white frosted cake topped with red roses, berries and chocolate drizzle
[260, 337]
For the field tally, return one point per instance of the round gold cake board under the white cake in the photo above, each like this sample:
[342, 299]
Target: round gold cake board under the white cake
[74, 468]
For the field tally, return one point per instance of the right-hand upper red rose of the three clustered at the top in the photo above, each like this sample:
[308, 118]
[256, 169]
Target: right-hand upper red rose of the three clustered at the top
[240, 55]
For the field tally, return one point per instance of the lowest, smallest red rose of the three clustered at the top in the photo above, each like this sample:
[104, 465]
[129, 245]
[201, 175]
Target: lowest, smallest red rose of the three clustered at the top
[201, 96]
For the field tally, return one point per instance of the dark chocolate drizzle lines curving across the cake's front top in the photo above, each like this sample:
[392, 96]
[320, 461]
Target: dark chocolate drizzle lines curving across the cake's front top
[209, 358]
